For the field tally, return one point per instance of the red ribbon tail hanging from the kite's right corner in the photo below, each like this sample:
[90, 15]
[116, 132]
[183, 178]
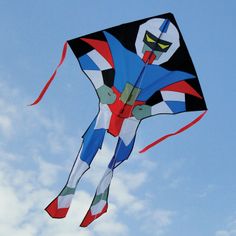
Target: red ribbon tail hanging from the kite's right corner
[192, 123]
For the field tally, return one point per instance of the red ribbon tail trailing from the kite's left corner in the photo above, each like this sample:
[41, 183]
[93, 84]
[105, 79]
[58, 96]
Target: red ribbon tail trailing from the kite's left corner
[52, 77]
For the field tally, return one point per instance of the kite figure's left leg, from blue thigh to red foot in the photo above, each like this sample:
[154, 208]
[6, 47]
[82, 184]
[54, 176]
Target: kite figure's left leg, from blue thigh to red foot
[92, 141]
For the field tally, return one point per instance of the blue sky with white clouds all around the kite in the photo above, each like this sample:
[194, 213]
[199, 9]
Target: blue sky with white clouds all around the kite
[185, 186]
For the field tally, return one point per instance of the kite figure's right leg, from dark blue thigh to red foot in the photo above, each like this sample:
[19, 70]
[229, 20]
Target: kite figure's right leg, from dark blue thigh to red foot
[100, 201]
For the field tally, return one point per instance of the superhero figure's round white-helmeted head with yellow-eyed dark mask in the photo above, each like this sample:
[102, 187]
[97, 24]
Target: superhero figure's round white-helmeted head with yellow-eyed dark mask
[158, 36]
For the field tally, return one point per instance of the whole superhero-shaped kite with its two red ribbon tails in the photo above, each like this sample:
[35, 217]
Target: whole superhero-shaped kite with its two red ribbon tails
[139, 69]
